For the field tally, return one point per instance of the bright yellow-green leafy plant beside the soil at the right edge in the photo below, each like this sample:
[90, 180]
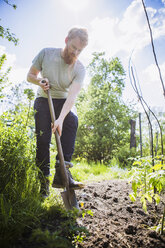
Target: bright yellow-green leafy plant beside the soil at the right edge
[148, 181]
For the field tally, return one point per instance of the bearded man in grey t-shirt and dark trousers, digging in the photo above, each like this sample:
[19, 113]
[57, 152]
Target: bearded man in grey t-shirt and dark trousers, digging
[63, 74]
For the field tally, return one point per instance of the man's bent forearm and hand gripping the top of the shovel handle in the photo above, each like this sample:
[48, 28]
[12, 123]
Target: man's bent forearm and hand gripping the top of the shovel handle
[32, 77]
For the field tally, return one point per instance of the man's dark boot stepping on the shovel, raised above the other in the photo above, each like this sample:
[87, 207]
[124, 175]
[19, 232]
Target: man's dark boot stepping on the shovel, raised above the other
[57, 181]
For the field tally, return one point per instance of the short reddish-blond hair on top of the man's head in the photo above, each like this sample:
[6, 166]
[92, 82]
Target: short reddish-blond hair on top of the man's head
[82, 33]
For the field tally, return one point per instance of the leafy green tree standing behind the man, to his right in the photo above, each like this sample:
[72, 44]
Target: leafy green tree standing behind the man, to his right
[103, 116]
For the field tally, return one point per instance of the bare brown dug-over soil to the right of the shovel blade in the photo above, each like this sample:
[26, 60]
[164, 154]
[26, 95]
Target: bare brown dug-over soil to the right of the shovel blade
[117, 222]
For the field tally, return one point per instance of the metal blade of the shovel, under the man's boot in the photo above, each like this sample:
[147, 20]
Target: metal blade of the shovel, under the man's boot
[69, 199]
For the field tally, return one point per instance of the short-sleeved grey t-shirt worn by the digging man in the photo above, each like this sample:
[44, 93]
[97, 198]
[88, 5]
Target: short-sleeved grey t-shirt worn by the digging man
[60, 75]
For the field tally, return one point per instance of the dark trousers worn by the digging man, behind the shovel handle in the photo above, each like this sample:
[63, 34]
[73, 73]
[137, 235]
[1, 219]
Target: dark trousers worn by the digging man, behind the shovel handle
[44, 132]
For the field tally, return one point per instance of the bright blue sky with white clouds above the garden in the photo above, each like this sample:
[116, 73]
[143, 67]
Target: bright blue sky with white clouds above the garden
[118, 28]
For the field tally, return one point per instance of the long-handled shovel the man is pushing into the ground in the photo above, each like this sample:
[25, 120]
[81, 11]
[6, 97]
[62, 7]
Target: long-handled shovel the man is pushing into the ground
[68, 195]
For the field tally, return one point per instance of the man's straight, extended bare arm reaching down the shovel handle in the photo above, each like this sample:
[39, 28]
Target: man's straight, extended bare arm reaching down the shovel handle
[70, 101]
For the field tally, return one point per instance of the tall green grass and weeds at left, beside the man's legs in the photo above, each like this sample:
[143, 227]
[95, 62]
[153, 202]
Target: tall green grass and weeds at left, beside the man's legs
[19, 185]
